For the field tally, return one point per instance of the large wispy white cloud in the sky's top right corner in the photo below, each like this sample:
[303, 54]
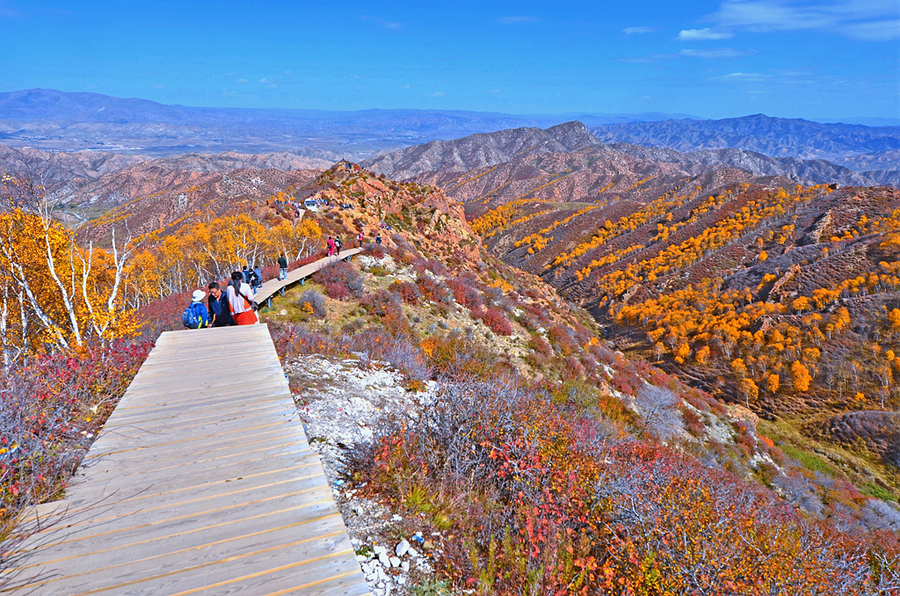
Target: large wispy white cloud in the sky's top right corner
[870, 20]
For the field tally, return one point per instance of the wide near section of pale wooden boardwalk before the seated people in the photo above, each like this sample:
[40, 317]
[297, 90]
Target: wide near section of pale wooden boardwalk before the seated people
[202, 481]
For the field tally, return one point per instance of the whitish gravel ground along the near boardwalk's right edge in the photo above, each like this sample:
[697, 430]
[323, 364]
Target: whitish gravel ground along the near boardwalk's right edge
[341, 403]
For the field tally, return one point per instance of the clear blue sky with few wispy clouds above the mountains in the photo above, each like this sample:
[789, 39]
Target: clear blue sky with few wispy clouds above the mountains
[789, 58]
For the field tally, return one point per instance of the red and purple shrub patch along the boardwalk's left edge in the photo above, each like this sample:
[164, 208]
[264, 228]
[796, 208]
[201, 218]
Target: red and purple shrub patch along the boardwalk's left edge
[53, 407]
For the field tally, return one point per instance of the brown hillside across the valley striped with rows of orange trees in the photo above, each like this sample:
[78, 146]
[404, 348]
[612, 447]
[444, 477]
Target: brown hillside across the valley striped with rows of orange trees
[761, 291]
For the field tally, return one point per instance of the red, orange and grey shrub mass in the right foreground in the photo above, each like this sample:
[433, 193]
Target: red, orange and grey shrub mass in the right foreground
[546, 501]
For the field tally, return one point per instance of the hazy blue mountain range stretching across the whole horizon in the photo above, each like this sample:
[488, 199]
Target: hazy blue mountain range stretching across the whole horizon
[60, 121]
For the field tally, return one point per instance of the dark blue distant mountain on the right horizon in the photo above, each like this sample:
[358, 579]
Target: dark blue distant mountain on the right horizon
[843, 144]
